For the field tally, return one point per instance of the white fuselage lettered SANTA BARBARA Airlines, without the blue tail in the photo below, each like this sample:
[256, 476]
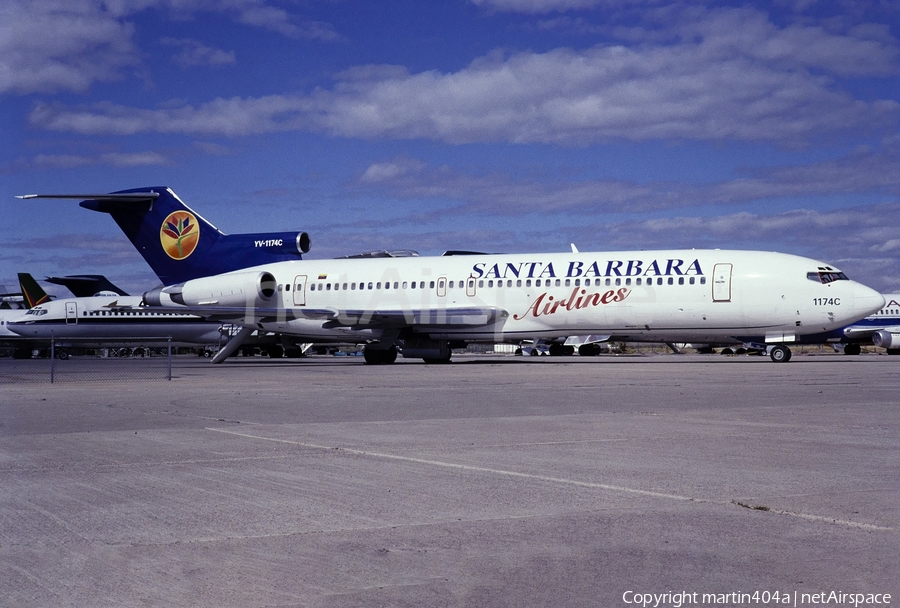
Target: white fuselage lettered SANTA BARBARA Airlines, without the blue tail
[683, 296]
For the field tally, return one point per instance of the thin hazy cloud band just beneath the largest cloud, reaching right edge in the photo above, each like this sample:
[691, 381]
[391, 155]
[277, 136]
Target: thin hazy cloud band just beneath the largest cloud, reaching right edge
[862, 172]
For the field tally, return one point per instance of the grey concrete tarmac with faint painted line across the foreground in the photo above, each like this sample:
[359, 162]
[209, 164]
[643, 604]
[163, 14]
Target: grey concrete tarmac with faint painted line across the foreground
[492, 481]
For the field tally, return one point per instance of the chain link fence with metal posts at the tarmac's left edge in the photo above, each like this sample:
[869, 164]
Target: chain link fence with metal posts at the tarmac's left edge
[86, 360]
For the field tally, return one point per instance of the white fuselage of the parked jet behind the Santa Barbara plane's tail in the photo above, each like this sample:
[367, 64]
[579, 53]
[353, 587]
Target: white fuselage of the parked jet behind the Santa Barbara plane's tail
[111, 317]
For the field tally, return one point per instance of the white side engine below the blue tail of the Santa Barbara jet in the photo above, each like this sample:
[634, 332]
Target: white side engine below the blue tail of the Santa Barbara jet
[246, 288]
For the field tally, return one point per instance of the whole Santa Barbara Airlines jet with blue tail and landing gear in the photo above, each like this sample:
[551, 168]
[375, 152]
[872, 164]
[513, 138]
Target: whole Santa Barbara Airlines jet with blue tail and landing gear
[424, 306]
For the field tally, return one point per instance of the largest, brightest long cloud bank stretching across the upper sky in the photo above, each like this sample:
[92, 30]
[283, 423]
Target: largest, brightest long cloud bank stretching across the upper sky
[734, 76]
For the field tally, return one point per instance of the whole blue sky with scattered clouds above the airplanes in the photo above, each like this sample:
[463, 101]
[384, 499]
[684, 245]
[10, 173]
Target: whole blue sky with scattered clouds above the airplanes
[493, 125]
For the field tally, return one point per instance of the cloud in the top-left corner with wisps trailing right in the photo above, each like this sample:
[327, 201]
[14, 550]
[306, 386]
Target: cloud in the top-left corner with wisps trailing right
[68, 45]
